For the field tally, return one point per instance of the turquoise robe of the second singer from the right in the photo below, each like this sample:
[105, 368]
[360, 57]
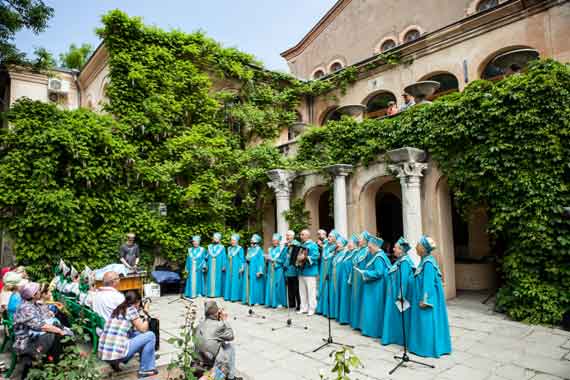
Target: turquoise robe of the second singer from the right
[392, 329]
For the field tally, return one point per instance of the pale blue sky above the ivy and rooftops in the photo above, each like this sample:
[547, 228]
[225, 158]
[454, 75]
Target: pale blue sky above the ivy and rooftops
[264, 28]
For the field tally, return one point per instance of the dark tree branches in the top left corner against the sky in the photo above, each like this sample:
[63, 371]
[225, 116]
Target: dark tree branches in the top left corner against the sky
[16, 15]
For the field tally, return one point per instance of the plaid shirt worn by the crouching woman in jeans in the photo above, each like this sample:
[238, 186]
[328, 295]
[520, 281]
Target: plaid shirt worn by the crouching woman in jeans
[114, 341]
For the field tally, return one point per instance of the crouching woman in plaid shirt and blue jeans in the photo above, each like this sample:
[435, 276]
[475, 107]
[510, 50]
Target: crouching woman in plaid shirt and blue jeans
[126, 334]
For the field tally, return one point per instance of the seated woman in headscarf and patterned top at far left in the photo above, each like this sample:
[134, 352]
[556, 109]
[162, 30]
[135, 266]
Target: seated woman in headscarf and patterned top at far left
[34, 336]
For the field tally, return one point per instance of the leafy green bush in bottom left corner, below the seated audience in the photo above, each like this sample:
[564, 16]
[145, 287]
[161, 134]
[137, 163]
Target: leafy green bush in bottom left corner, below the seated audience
[74, 364]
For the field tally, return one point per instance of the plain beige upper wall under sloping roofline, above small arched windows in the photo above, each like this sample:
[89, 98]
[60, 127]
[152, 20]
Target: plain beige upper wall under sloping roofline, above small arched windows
[355, 33]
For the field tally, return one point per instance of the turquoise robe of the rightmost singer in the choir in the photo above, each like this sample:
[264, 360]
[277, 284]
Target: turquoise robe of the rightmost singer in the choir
[429, 335]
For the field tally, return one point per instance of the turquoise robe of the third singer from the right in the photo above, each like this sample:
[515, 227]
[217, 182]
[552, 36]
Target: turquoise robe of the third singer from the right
[374, 294]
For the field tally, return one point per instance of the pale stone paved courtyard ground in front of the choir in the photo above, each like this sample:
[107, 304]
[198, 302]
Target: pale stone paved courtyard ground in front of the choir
[486, 345]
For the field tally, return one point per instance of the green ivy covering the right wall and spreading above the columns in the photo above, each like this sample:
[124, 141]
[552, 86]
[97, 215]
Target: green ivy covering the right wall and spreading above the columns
[504, 146]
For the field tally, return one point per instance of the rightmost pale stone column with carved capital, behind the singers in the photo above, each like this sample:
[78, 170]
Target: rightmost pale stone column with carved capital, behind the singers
[408, 167]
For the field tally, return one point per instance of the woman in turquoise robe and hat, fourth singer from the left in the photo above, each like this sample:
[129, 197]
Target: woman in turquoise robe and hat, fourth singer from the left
[254, 289]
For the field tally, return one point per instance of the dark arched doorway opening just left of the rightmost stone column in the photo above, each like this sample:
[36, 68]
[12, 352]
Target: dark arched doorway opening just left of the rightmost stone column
[389, 218]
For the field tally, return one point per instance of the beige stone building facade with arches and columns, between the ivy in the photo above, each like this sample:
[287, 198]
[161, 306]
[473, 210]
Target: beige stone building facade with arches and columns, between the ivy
[450, 41]
